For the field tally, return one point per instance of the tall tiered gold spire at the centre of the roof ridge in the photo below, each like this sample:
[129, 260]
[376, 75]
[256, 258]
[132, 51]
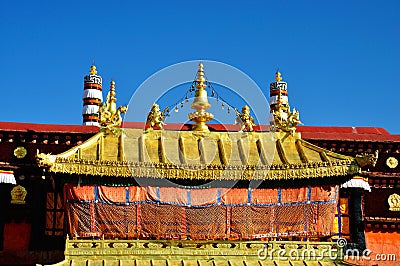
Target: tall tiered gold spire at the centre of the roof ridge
[200, 103]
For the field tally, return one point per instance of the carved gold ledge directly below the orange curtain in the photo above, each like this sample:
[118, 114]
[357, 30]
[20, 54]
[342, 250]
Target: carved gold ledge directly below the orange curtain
[195, 250]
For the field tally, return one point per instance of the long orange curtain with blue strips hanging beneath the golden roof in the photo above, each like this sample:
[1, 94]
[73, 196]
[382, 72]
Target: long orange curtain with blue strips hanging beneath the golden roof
[213, 213]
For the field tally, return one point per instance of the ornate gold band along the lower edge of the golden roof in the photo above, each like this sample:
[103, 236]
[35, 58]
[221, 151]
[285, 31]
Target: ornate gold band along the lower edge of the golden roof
[204, 172]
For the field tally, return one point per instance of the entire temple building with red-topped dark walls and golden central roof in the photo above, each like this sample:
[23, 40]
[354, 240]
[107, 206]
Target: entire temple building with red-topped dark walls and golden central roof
[112, 192]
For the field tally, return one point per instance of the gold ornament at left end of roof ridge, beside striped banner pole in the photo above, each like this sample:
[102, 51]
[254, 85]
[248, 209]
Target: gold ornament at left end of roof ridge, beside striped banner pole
[110, 116]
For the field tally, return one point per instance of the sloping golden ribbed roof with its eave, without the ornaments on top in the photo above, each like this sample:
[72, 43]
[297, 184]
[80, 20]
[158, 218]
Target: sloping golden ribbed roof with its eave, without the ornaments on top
[201, 156]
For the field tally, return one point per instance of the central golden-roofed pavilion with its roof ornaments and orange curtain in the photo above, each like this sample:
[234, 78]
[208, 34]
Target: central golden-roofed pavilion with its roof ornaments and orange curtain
[118, 171]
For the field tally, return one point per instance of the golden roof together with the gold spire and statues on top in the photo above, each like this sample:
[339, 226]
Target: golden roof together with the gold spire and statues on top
[201, 154]
